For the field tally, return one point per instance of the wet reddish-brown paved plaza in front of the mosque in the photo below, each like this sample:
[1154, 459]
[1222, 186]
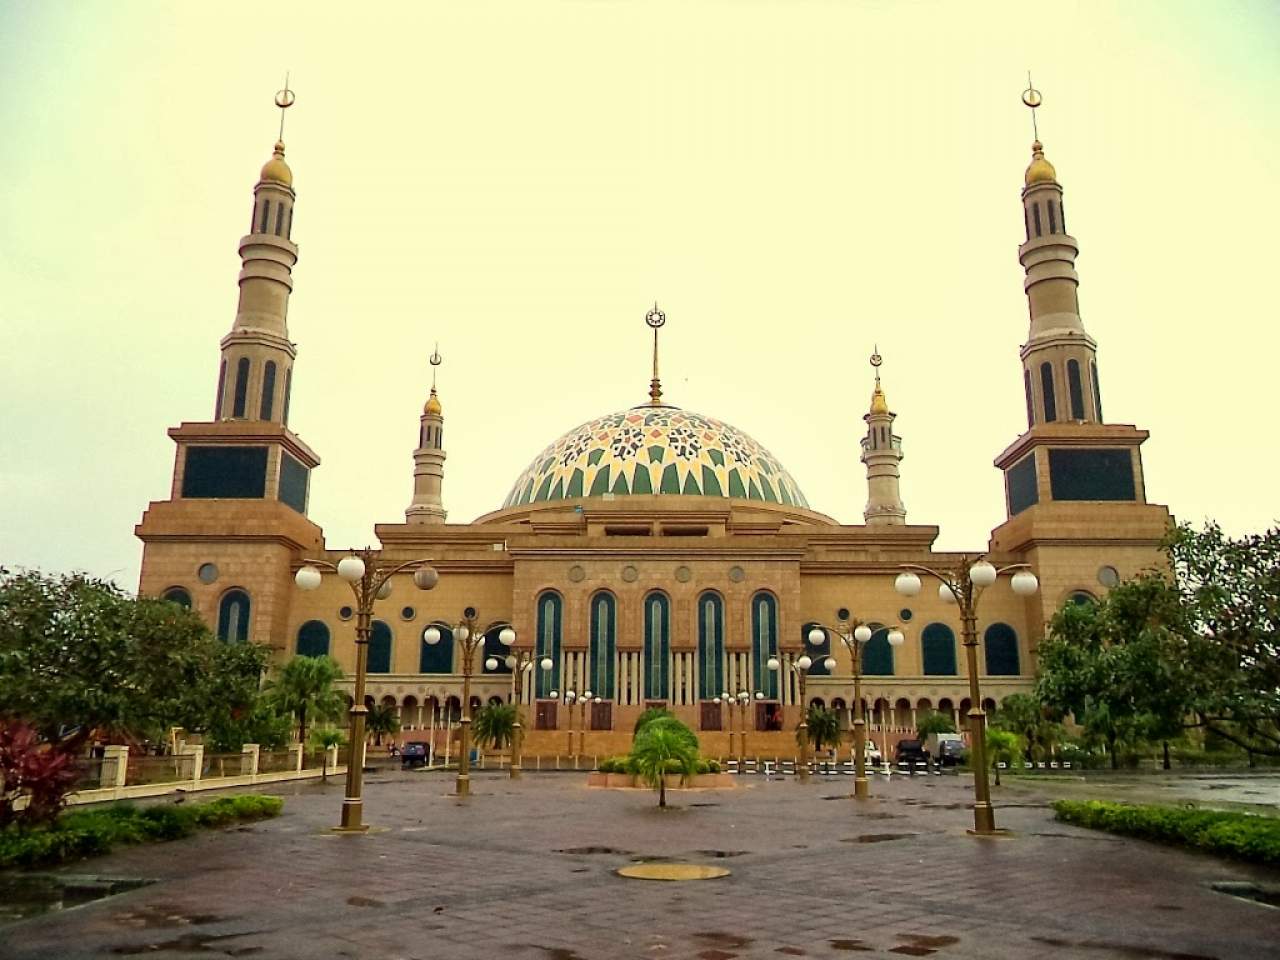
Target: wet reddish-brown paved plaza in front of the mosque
[525, 870]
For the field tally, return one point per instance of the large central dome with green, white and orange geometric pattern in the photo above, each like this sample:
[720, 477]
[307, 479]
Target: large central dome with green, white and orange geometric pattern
[656, 450]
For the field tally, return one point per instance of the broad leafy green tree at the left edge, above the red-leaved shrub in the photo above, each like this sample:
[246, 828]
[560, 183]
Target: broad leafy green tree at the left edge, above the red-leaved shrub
[81, 659]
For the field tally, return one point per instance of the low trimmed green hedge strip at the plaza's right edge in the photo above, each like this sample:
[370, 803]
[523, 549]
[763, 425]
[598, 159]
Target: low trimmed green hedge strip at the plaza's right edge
[1237, 835]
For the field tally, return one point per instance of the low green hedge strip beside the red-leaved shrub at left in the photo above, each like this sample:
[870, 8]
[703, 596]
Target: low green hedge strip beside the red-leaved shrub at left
[83, 834]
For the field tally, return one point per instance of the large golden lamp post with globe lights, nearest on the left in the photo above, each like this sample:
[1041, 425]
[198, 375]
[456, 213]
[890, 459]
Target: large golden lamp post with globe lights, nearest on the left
[369, 583]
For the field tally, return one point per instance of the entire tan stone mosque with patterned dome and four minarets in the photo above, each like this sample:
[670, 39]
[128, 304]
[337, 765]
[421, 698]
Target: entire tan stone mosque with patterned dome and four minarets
[652, 556]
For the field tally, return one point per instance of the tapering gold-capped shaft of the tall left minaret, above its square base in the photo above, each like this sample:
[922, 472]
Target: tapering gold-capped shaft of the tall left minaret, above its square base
[257, 371]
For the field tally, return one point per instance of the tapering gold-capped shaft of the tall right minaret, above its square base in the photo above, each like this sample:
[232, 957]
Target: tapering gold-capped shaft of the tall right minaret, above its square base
[1060, 372]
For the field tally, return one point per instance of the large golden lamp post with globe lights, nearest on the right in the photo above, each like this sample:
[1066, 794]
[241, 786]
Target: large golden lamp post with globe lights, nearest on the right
[964, 586]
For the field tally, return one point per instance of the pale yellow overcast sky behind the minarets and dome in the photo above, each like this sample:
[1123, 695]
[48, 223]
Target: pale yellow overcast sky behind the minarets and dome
[792, 181]
